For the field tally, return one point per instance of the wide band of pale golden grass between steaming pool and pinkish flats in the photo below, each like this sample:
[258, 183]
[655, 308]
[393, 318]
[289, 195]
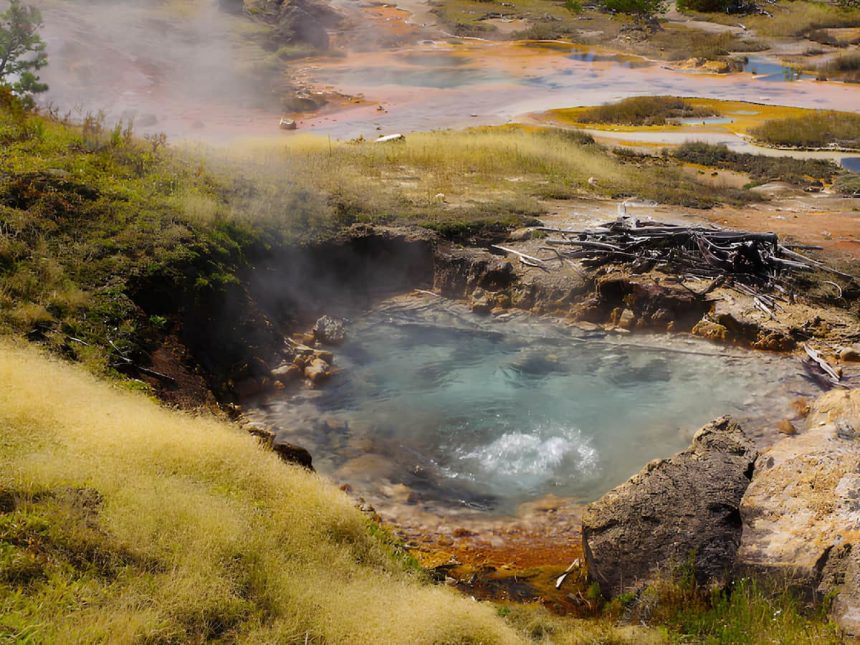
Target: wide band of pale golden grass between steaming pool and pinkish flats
[449, 179]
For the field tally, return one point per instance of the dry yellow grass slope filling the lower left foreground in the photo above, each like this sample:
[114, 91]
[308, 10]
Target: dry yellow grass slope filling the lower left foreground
[122, 521]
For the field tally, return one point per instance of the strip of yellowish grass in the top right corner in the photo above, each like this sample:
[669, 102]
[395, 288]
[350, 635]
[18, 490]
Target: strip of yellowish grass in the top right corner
[791, 18]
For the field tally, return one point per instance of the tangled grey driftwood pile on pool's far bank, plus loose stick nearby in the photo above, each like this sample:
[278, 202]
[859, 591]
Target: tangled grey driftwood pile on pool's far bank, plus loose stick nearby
[756, 264]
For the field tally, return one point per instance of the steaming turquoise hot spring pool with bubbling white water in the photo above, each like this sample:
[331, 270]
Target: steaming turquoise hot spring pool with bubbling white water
[448, 411]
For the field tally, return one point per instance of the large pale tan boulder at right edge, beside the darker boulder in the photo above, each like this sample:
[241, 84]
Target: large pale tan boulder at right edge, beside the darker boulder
[801, 513]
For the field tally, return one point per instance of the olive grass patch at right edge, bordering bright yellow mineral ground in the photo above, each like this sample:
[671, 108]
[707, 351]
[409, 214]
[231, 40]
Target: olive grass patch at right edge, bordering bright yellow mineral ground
[816, 130]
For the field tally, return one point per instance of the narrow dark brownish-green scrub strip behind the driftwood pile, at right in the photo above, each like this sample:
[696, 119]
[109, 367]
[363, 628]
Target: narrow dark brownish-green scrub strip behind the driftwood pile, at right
[760, 168]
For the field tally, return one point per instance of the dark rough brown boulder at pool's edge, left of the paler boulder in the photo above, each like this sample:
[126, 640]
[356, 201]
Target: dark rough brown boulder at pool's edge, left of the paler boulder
[673, 510]
